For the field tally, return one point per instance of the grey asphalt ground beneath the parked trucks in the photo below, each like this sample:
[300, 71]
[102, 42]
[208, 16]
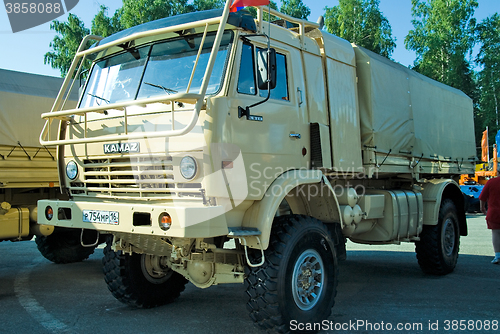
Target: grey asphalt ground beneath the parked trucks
[381, 289]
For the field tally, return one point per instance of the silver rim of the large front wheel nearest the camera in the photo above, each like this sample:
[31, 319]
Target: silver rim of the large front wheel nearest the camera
[308, 279]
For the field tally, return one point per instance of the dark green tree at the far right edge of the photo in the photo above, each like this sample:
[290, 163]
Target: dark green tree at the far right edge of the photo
[488, 35]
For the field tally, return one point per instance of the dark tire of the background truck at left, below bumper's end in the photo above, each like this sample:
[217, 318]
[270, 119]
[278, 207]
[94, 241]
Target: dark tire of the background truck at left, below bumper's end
[63, 246]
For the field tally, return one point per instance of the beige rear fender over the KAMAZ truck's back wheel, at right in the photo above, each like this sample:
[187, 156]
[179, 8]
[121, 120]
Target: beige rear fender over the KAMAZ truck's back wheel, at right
[433, 193]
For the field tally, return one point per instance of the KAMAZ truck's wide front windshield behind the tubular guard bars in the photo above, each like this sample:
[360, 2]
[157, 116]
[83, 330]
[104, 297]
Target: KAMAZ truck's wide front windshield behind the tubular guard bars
[155, 70]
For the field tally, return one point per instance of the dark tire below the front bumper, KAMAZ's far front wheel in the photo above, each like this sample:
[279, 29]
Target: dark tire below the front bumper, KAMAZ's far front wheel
[131, 285]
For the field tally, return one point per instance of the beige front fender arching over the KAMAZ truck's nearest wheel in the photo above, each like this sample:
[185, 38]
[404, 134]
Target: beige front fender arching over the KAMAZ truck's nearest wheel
[262, 213]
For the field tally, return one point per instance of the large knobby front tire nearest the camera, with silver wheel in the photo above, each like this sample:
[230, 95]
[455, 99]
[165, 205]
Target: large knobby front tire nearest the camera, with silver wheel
[296, 242]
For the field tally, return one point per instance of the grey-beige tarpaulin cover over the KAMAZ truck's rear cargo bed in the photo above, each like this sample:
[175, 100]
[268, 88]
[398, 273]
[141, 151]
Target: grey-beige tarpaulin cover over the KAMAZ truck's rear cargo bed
[406, 113]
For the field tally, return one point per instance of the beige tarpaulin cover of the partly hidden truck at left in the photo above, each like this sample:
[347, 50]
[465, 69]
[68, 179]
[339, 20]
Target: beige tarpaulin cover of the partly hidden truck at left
[23, 98]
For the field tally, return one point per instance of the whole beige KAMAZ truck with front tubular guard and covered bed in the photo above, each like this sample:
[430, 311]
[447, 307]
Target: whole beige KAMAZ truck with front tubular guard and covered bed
[216, 148]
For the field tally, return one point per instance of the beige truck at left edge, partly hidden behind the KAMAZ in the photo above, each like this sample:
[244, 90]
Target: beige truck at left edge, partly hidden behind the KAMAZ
[28, 170]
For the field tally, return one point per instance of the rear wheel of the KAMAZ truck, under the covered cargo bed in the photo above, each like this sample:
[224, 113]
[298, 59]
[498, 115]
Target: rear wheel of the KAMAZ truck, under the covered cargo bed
[437, 250]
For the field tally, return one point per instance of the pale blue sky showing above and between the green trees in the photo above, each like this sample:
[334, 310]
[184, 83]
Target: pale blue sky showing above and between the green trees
[23, 51]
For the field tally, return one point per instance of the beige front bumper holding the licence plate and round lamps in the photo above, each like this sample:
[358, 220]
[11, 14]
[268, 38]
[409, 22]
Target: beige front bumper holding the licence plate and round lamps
[187, 221]
